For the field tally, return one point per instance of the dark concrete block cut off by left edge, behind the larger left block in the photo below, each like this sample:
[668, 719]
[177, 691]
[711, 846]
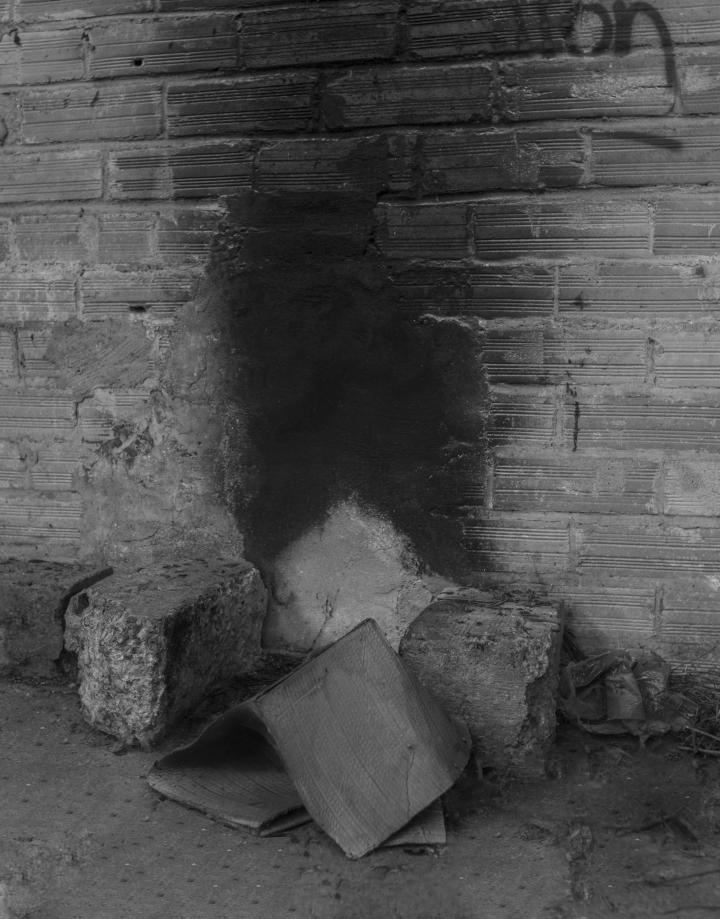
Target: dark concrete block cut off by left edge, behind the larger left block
[35, 594]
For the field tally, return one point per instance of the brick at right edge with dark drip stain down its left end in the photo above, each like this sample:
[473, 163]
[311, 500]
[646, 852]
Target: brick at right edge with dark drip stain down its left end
[642, 422]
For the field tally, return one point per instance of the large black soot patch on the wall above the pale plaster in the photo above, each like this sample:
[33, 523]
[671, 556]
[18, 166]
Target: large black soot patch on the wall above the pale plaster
[344, 395]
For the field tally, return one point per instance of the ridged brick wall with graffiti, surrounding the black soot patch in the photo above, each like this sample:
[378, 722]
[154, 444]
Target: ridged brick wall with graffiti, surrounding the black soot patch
[545, 176]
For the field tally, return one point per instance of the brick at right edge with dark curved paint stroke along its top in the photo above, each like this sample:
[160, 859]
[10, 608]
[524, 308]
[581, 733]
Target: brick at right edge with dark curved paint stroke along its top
[679, 154]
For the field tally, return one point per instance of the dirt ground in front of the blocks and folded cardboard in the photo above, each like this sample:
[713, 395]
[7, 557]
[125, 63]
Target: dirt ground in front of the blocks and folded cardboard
[619, 830]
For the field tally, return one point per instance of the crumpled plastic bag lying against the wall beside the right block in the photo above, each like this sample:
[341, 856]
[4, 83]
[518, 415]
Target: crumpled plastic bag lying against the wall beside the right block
[619, 692]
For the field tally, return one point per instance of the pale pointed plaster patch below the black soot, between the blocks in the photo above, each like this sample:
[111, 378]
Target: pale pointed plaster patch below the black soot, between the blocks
[354, 566]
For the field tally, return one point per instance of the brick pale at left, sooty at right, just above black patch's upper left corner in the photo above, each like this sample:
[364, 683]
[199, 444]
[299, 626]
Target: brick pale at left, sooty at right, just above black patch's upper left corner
[206, 171]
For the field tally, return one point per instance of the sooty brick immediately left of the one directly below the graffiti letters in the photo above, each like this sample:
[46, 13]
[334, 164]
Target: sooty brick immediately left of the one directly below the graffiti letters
[408, 95]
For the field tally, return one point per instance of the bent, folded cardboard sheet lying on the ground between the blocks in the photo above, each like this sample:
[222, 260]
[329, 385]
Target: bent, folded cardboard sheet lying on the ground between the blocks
[349, 738]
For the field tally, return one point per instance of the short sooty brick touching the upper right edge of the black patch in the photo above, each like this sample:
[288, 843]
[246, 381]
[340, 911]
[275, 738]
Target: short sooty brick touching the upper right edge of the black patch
[417, 230]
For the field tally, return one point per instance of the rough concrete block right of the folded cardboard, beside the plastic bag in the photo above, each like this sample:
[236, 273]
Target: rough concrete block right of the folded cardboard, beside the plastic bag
[492, 662]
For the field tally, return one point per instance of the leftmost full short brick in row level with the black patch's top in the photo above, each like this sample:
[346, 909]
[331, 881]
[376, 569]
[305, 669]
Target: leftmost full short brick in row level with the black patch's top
[55, 236]
